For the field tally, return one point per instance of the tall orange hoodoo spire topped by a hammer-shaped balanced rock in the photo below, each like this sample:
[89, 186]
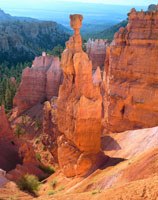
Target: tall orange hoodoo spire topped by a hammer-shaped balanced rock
[79, 109]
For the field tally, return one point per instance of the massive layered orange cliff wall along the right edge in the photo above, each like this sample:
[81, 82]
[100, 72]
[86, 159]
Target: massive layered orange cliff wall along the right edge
[131, 75]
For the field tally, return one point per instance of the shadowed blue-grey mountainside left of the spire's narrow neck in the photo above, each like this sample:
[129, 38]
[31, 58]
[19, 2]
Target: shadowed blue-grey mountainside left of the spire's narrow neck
[23, 38]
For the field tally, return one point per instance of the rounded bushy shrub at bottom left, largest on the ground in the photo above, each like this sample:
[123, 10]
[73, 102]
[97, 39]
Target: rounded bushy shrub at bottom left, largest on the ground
[29, 183]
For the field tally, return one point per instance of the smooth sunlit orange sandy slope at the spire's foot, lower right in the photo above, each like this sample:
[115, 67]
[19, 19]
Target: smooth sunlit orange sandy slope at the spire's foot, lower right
[130, 174]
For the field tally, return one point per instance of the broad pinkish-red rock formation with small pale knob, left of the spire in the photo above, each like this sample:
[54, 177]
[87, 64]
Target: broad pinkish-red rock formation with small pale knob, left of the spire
[39, 83]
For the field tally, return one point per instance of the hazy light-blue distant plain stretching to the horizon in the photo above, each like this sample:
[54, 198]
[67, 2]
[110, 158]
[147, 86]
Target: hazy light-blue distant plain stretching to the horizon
[97, 16]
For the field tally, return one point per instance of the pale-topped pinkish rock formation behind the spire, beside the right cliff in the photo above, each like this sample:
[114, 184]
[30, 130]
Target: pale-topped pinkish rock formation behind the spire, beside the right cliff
[96, 50]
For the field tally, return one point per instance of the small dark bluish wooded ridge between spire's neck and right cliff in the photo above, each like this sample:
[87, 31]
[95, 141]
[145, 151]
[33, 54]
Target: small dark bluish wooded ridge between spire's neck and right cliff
[109, 33]
